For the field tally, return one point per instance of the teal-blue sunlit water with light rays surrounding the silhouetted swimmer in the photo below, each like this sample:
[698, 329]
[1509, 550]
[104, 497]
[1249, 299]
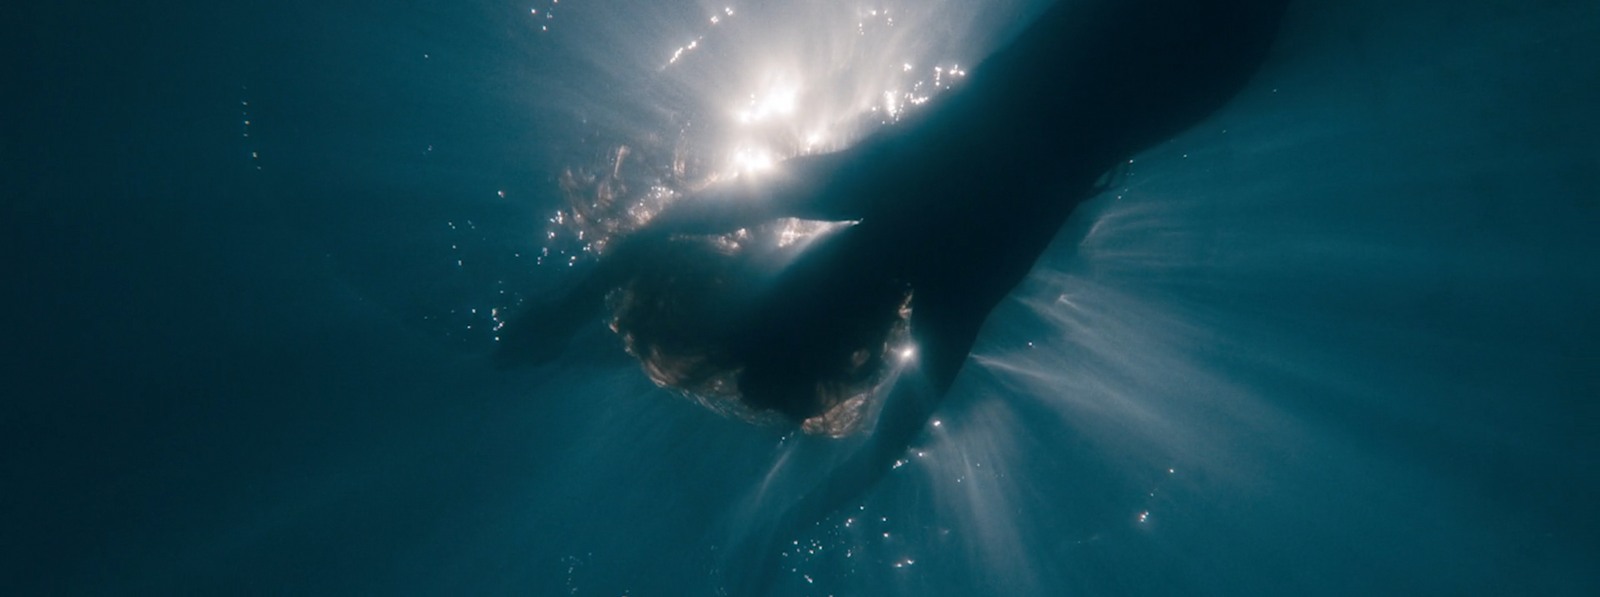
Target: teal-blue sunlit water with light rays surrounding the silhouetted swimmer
[1342, 339]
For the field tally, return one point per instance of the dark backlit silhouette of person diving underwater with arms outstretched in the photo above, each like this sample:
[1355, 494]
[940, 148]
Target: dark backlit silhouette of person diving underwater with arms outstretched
[951, 207]
